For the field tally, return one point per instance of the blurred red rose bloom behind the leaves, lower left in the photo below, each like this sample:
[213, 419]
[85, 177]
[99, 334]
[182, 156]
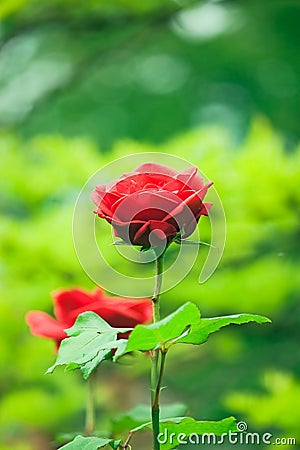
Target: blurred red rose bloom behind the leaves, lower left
[69, 303]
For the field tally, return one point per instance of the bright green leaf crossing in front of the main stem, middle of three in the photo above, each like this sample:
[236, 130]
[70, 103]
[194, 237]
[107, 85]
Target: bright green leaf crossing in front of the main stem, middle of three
[166, 331]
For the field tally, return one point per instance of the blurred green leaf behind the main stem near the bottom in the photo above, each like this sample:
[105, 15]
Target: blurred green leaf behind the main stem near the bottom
[142, 413]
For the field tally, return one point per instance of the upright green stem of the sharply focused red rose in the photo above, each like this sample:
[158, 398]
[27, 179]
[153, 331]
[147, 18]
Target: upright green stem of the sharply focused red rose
[155, 376]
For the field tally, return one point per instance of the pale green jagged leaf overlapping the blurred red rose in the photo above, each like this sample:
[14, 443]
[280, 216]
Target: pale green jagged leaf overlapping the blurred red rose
[91, 341]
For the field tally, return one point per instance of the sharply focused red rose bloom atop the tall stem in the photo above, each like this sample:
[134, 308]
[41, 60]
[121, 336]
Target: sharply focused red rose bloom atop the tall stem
[153, 204]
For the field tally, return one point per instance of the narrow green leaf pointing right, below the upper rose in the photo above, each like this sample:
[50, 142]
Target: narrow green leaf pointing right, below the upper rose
[200, 332]
